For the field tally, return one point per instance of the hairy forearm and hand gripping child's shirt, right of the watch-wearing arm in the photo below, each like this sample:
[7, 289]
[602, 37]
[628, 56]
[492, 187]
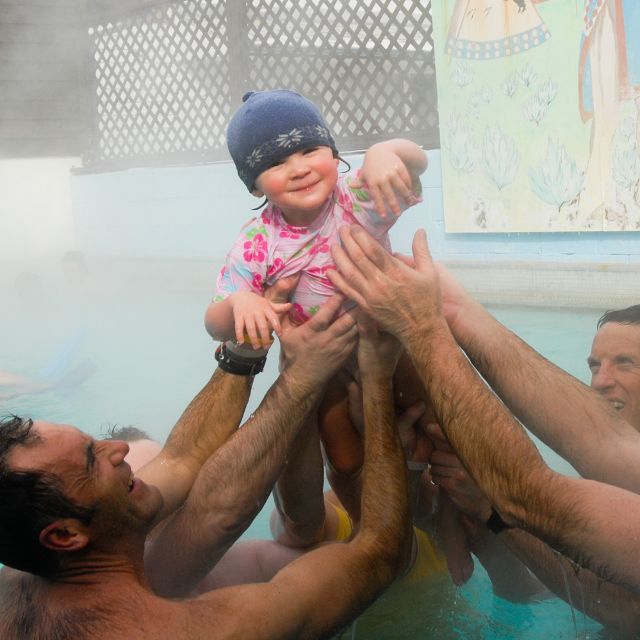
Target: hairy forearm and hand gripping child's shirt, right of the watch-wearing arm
[235, 482]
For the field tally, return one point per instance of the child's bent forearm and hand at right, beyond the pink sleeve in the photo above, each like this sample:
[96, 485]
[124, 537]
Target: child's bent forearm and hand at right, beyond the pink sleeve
[391, 168]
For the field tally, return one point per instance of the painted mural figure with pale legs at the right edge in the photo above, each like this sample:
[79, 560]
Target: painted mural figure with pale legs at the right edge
[609, 73]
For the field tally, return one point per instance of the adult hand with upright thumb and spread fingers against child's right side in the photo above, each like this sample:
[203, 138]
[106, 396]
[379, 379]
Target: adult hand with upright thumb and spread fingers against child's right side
[397, 296]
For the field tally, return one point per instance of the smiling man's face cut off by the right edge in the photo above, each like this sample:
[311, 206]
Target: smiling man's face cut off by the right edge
[615, 368]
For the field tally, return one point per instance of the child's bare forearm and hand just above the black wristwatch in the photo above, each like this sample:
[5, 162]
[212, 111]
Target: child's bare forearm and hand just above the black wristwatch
[242, 315]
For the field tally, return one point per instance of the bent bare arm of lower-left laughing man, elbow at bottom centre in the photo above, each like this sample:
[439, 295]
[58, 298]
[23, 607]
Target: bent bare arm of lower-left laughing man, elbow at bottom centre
[319, 593]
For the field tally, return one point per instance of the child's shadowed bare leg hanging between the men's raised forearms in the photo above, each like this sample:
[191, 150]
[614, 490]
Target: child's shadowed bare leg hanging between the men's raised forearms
[342, 444]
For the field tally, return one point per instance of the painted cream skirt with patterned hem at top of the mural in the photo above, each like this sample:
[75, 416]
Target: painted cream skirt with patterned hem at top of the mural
[490, 29]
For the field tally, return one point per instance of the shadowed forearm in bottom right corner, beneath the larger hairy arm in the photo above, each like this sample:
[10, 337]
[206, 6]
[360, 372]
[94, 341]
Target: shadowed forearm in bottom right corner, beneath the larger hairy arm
[614, 607]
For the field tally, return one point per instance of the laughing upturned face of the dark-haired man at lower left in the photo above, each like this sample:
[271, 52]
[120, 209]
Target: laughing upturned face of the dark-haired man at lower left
[93, 473]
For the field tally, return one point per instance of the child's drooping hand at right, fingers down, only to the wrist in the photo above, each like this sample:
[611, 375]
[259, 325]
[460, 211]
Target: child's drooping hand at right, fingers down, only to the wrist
[386, 175]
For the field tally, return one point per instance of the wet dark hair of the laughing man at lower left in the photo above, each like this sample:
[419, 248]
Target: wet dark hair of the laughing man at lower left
[29, 502]
